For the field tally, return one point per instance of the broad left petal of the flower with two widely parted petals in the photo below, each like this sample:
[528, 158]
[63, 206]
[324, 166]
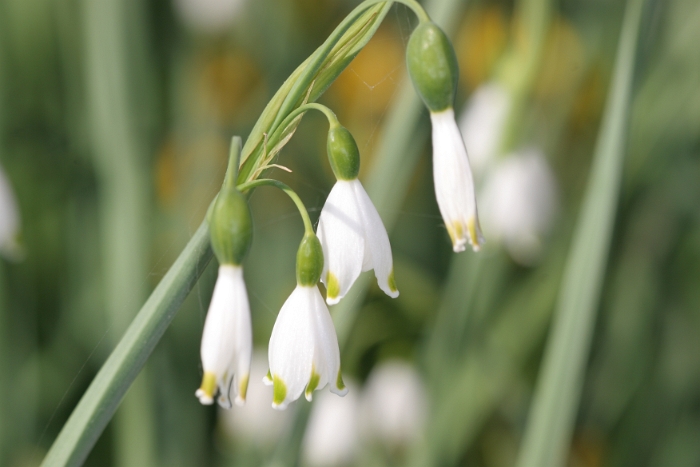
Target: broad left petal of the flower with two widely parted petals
[341, 234]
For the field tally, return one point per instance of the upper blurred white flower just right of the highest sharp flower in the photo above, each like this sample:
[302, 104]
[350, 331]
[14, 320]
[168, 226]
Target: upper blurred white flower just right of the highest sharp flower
[482, 124]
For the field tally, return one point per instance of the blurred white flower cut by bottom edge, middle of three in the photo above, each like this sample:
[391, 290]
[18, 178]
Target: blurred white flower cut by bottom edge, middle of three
[332, 432]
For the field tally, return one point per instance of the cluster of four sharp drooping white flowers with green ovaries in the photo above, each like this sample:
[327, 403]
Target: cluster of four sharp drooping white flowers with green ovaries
[350, 238]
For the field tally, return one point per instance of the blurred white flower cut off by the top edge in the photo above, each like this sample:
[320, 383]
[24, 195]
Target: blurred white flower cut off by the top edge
[208, 16]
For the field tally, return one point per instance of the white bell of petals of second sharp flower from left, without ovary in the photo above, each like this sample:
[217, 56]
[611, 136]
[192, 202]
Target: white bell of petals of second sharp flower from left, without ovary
[303, 349]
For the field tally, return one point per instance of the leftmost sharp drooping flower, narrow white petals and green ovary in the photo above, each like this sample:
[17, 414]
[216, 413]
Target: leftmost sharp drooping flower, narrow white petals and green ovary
[227, 338]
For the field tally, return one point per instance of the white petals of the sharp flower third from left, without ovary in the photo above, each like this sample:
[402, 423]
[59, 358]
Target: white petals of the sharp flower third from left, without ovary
[354, 239]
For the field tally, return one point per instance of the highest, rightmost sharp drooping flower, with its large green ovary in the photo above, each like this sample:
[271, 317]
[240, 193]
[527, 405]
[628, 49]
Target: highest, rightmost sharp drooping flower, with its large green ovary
[432, 65]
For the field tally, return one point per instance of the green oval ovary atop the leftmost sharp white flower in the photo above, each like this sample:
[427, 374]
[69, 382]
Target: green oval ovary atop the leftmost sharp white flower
[231, 227]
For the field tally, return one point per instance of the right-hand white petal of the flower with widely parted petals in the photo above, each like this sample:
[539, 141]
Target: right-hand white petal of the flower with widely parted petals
[377, 247]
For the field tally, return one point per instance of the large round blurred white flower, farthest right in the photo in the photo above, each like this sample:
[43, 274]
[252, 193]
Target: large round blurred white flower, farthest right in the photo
[519, 203]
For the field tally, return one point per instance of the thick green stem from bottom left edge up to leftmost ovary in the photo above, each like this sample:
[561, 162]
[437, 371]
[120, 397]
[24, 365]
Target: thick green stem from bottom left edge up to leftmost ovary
[101, 399]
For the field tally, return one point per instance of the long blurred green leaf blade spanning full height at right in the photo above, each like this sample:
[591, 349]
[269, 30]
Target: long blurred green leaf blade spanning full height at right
[551, 421]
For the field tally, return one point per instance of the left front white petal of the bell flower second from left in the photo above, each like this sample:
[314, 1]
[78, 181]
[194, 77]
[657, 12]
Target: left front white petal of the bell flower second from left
[291, 347]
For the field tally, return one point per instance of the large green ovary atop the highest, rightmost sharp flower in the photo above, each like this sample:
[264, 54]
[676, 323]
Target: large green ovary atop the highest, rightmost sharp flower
[432, 64]
